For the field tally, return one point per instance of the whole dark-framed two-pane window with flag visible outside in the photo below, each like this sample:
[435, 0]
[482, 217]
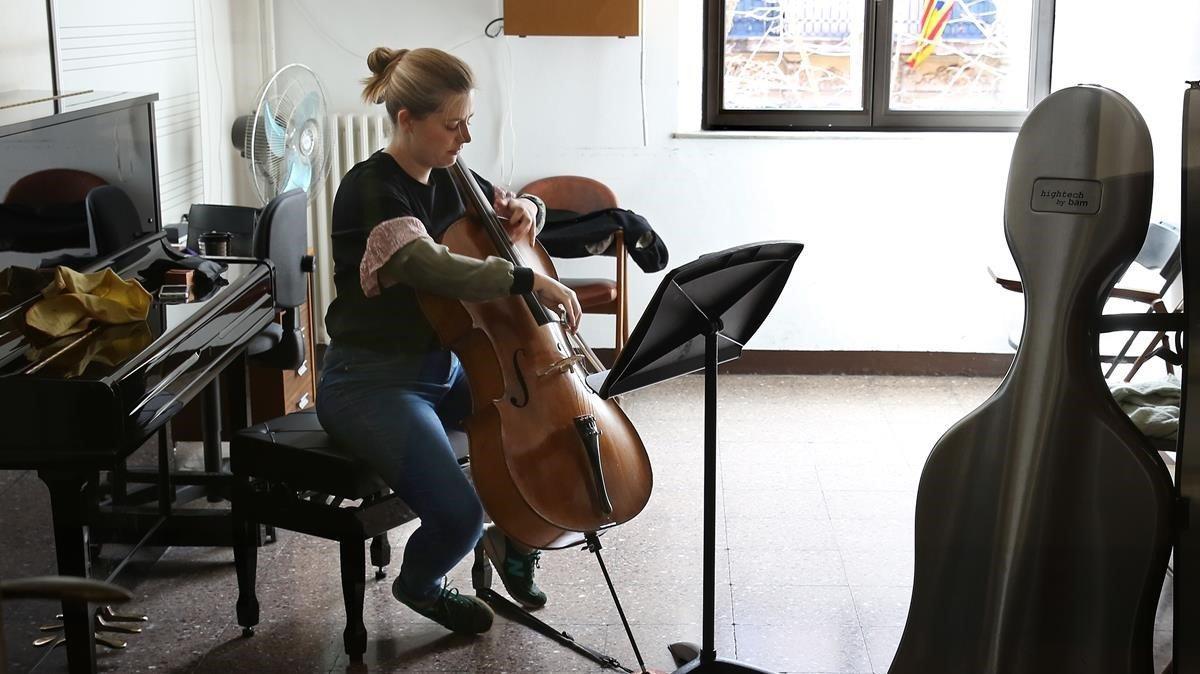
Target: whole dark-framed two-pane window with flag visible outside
[875, 64]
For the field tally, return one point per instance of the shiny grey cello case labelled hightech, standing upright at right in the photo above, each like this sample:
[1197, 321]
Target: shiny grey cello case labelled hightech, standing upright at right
[1042, 528]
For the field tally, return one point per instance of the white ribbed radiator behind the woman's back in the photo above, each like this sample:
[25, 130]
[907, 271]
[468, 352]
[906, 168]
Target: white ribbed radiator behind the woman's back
[356, 137]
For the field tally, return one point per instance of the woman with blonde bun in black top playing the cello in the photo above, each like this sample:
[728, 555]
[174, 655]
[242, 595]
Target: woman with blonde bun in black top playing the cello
[388, 390]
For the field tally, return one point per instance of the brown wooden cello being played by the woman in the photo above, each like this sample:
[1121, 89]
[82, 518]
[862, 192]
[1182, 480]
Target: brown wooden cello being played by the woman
[550, 459]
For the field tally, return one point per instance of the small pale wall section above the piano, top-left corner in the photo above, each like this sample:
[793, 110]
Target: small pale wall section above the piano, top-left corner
[25, 46]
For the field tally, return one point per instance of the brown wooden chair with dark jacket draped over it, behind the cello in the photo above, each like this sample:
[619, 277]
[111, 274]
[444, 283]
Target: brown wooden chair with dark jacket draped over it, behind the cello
[597, 296]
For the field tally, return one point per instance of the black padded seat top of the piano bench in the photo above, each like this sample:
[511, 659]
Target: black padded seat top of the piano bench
[295, 449]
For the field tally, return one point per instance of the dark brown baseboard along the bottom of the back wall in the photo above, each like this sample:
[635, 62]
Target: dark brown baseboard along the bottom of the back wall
[943, 364]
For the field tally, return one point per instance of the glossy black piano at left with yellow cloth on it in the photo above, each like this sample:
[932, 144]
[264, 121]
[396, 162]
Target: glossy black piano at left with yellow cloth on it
[80, 406]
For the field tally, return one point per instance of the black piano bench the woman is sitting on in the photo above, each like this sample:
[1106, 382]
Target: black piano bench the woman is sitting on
[290, 474]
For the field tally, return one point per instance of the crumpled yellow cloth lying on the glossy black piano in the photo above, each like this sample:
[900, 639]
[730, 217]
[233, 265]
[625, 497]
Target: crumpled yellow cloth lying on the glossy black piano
[74, 302]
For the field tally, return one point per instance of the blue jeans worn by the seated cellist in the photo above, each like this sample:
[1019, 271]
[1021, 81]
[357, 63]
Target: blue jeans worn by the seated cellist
[392, 412]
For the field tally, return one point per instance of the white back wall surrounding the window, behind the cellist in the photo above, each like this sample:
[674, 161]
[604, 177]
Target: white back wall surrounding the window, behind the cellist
[899, 227]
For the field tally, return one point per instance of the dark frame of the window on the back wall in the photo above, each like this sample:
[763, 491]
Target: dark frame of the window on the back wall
[875, 113]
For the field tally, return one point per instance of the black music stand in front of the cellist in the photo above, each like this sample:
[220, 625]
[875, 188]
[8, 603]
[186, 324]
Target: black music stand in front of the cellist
[701, 315]
